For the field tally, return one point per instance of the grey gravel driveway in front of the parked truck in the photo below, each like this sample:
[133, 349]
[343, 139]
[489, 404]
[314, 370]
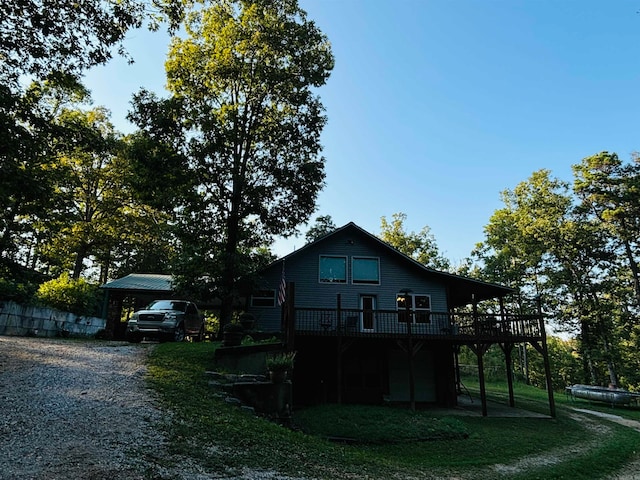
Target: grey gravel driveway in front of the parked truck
[76, 410]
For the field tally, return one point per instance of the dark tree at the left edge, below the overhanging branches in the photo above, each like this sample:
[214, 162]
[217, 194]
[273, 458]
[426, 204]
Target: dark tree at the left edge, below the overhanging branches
[28, 170]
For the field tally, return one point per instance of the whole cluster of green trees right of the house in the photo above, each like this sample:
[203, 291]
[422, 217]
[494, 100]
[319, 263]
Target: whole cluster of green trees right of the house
[575, 247]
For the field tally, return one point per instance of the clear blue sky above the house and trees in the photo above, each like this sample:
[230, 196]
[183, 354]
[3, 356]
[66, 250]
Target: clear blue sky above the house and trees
[435, 107]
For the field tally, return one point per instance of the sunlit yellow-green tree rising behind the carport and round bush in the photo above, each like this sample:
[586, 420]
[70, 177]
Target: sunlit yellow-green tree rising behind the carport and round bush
[101, 214]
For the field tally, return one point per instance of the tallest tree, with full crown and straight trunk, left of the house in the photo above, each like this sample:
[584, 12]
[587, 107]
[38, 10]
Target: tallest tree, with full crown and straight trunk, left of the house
[245, 76]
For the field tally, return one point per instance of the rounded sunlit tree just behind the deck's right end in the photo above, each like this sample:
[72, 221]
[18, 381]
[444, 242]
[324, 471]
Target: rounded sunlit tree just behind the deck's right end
[541, 243]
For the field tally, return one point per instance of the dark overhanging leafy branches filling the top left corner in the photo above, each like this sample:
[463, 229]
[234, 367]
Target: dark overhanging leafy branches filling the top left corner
[43, 39]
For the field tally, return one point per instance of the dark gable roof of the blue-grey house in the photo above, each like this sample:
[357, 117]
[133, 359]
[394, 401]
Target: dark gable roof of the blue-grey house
[461, 290]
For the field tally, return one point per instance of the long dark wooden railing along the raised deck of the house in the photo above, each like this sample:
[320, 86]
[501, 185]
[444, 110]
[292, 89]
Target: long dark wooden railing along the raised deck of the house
[424, 325]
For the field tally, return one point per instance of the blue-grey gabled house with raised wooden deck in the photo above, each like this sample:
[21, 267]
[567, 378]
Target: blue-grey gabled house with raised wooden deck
[370, 324]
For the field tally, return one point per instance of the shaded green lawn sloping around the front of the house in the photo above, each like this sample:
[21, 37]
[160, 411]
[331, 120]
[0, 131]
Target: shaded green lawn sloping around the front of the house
[224, 439]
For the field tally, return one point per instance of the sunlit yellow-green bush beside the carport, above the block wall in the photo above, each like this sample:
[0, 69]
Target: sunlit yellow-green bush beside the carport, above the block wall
[70, 295]
